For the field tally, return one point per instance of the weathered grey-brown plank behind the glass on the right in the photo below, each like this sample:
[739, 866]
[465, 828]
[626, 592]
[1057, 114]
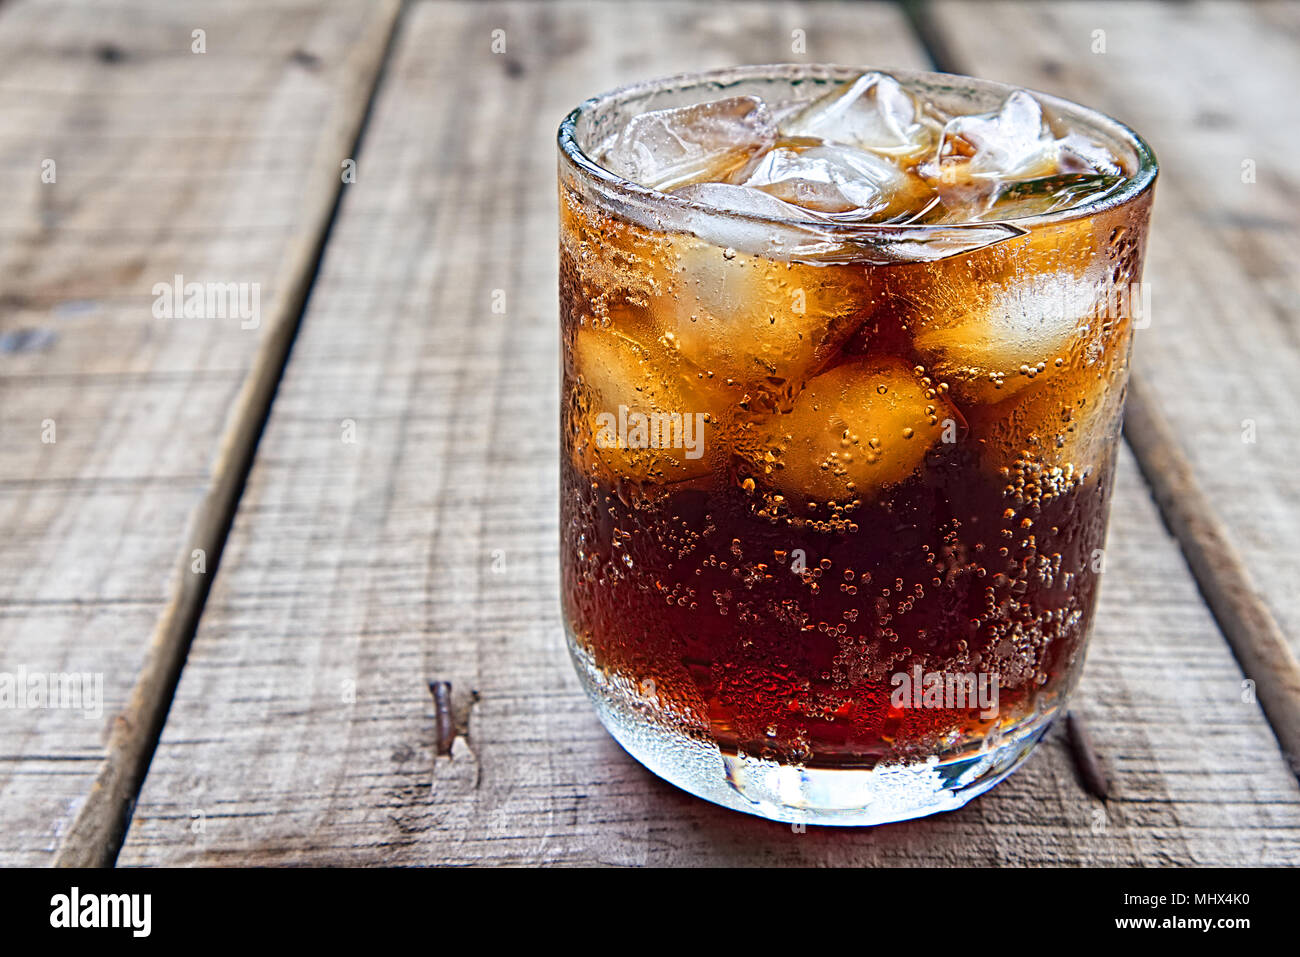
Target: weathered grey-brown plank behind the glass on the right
[1212, 88]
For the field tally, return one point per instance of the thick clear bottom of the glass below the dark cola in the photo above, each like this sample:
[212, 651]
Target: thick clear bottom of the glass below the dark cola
[848, 798]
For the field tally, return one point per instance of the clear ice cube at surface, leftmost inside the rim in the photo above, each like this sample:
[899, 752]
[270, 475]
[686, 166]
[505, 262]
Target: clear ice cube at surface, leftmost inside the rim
[705, 142]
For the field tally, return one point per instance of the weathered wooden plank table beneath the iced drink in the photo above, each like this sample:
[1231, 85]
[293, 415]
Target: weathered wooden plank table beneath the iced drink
[354, 497]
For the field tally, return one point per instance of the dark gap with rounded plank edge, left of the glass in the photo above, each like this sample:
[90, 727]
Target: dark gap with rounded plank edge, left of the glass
[101, 826]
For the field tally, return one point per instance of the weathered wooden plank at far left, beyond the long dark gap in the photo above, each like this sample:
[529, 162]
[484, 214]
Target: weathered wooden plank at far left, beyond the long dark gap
[120, 431]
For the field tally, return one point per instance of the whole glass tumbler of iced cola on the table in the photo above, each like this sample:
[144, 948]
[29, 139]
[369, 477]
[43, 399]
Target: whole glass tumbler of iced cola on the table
[844, 362]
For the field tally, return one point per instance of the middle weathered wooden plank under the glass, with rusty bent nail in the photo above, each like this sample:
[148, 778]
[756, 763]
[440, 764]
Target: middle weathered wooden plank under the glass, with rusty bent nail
[305, 730]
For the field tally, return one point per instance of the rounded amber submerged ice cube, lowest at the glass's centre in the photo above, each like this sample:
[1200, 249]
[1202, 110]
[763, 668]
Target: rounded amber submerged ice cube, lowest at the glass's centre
[855, 431]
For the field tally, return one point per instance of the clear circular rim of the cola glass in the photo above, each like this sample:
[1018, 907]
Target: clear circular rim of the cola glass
[1139, 183]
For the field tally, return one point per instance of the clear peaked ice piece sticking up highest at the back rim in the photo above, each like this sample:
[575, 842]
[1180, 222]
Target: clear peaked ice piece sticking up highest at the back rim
[872, 112]
